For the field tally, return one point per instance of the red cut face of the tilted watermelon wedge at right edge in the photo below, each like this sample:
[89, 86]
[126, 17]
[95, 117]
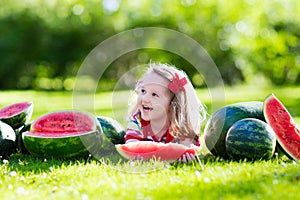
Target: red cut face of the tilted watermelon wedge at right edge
[287, 133]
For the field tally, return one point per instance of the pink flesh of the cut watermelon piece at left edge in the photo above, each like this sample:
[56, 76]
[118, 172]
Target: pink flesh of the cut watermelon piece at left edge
[14, 109]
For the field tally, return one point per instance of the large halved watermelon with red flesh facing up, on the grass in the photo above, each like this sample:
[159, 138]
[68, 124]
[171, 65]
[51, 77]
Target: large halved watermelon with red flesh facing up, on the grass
[64, 134]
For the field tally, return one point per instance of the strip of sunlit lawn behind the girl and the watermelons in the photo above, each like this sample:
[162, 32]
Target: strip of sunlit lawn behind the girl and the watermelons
[115, 104]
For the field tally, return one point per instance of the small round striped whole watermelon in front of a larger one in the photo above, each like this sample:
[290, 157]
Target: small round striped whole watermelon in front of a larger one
[250, 139]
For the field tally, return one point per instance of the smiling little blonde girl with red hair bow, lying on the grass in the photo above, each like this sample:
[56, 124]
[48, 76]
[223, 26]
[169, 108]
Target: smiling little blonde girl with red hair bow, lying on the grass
[167, 109]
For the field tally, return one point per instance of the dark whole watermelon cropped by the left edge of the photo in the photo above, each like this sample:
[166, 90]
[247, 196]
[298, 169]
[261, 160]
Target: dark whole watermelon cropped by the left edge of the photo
[7, 140]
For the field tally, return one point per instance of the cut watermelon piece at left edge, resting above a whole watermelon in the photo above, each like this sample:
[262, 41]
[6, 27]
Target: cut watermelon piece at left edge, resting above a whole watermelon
[17, 115]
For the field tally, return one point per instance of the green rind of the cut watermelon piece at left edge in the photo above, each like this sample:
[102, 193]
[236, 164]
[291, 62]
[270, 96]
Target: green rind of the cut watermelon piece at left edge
[19, 119]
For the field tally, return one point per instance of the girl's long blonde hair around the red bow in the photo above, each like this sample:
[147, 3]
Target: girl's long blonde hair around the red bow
[186, 110]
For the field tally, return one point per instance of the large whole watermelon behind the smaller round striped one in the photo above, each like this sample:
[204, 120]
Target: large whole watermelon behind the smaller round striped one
[219, 123]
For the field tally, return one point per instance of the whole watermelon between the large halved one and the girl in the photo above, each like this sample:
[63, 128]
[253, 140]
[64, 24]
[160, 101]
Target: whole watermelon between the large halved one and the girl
[113, 133]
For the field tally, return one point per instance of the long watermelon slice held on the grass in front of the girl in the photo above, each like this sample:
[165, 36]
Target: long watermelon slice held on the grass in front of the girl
[153, 150]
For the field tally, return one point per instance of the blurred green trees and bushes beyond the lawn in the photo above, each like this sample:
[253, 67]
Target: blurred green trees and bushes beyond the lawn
[44, 42]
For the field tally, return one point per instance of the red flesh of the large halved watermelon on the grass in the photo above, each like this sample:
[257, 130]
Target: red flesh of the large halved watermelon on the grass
[63, 123]
